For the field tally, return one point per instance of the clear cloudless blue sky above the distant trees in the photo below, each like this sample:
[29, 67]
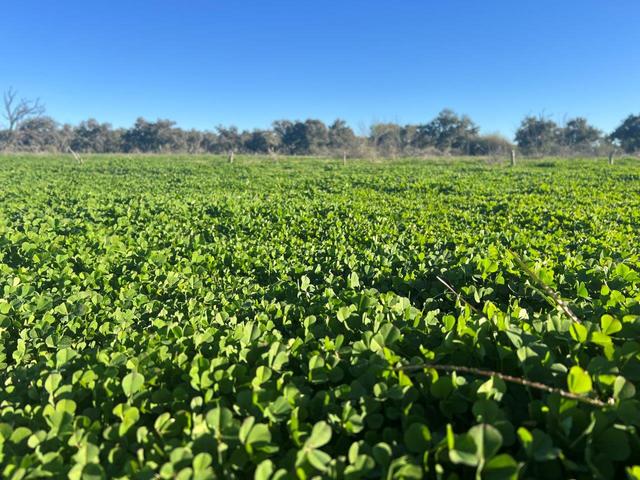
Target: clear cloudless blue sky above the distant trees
[209, 62]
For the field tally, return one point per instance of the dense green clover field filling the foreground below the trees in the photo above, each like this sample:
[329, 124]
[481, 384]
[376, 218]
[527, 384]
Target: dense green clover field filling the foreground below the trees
[182, 317]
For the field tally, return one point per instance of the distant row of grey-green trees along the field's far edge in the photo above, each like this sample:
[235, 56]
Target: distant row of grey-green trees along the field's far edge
[28, 128]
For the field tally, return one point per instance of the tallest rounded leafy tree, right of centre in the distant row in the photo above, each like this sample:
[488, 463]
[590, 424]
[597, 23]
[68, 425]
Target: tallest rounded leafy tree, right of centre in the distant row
[448, 131]
